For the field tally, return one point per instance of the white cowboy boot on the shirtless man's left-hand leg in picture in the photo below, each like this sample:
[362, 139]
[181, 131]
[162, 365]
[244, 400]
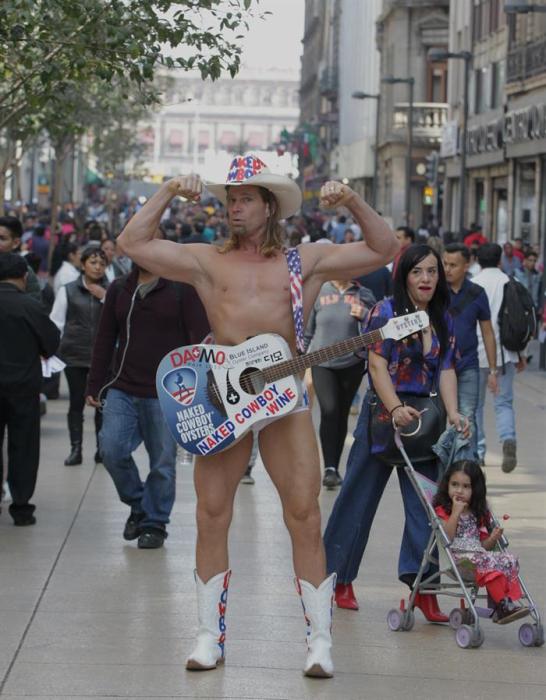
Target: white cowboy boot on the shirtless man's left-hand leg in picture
[211, 610]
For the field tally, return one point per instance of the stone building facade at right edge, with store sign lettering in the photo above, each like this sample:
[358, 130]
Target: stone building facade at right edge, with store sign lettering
[506, 134]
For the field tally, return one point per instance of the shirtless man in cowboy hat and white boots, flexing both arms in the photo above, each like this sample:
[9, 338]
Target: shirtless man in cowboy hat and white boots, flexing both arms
[245, 289]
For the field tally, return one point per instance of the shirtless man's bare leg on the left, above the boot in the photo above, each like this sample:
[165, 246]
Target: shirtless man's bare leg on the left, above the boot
[216, 479]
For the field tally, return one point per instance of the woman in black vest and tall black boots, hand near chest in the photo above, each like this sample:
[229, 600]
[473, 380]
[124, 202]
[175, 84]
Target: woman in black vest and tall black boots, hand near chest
[76, 313]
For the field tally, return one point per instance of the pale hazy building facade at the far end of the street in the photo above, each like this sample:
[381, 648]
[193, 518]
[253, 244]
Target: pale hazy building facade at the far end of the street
[202, 123]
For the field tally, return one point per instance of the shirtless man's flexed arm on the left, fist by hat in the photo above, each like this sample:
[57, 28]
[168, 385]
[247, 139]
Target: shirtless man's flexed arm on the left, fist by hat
[139, 241]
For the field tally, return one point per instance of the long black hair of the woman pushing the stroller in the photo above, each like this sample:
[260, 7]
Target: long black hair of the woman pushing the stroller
[439, 303]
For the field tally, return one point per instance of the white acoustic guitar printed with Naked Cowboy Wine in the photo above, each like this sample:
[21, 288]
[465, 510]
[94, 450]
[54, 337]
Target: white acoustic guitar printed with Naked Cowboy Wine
[211, 395]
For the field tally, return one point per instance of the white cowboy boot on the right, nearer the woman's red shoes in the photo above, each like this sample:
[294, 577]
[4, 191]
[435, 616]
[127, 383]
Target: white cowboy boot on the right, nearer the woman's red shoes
[317, 609]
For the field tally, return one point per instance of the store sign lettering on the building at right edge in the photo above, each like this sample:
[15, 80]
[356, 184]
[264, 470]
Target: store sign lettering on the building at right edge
[519, 126]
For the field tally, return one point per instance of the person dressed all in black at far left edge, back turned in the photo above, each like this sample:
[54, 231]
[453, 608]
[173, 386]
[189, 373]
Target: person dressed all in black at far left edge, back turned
[26, 334]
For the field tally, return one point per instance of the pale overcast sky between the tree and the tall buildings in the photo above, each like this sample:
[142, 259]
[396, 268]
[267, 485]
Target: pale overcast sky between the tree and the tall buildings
[275, 42]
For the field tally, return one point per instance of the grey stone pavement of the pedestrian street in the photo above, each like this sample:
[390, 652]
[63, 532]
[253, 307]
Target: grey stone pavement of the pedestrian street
[84, 614]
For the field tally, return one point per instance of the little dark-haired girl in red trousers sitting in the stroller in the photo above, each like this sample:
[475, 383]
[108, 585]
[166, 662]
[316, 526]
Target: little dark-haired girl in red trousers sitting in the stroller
[461, 503]
